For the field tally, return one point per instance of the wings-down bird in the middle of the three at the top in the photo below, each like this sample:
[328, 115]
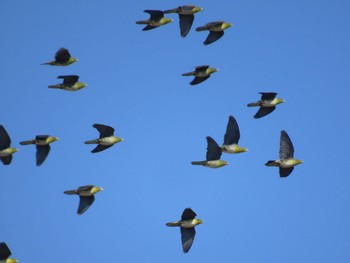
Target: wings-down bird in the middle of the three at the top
[186, 17]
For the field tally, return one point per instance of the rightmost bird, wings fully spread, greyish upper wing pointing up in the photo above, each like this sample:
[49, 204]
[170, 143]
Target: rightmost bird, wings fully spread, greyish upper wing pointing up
[286, 160]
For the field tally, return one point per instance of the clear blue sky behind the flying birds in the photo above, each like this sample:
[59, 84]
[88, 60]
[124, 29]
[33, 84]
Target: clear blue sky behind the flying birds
[299, 49]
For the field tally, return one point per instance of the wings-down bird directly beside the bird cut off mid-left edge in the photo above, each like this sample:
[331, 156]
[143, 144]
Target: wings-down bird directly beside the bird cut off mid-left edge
[42, 143]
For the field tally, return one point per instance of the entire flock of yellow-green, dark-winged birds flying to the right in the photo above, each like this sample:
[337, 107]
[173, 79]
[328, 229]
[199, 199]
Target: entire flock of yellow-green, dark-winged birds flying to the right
[188, 221]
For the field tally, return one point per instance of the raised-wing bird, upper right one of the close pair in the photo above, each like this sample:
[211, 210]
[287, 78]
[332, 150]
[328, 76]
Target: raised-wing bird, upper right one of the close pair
[231, 138]
